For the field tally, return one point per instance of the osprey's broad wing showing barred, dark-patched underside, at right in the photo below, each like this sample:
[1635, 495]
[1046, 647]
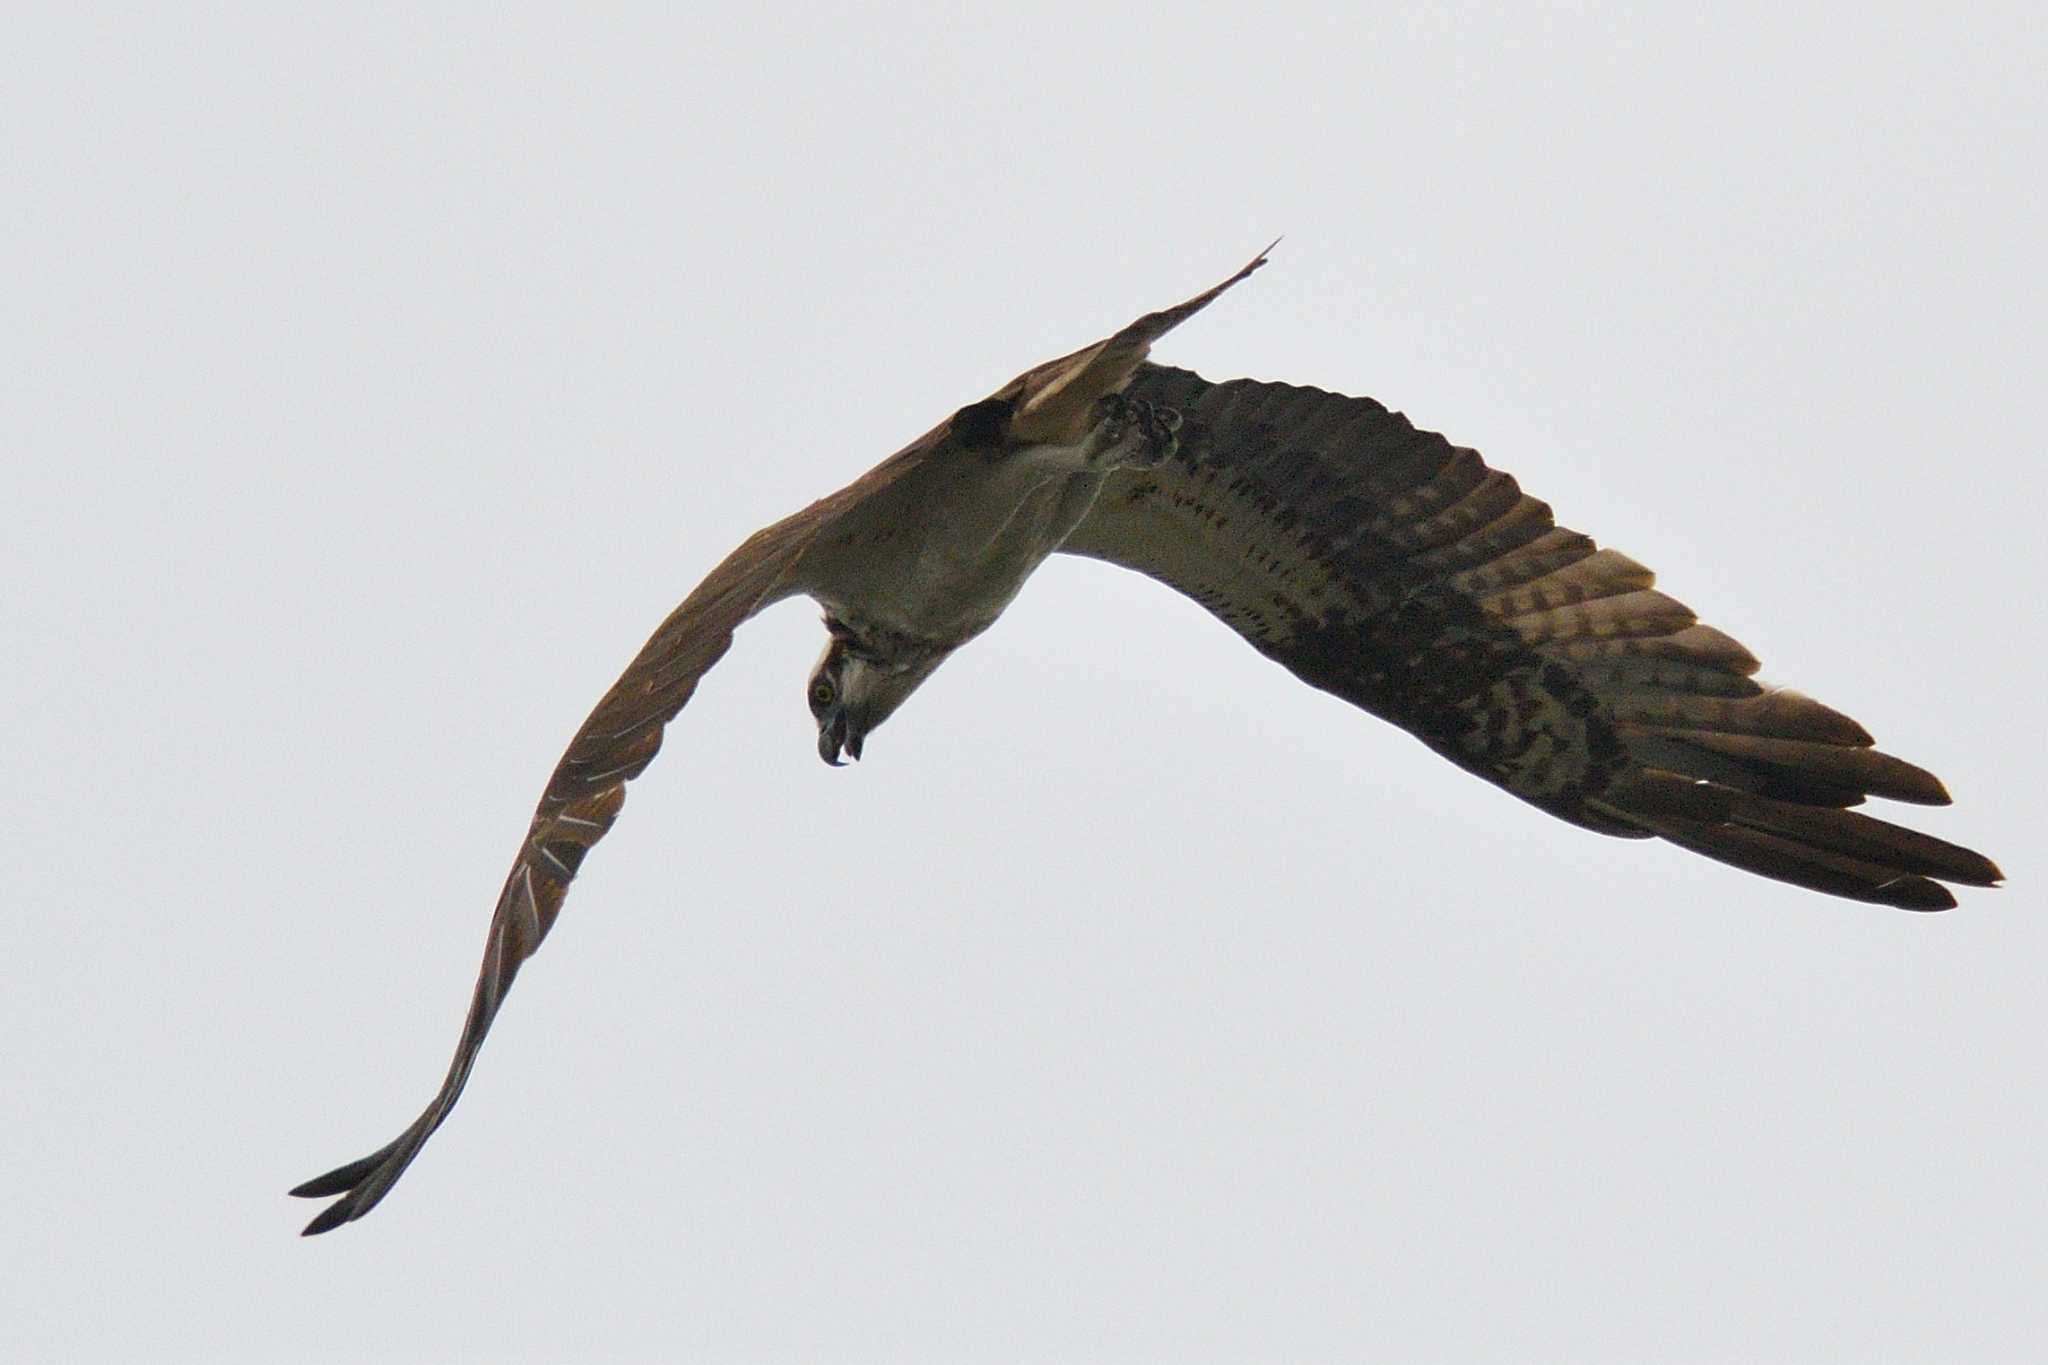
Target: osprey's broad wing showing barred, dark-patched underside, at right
[1394, 570]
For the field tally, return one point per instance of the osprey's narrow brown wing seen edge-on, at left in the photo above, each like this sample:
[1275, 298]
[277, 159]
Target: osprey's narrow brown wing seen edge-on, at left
[589, 789]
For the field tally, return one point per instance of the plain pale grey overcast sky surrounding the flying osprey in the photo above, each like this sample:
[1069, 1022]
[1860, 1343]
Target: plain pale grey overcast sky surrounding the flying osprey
[372, 384]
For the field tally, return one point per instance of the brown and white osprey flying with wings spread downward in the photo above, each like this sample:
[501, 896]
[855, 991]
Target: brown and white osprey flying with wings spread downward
[1371, 560]
